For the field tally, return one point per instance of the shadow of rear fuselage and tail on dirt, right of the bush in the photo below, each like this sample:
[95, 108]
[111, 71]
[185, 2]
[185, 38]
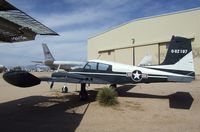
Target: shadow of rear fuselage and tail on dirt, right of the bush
[178, 100]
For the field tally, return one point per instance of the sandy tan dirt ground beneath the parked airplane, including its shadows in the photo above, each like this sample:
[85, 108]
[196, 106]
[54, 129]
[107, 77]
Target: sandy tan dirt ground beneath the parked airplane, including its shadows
[143, 108]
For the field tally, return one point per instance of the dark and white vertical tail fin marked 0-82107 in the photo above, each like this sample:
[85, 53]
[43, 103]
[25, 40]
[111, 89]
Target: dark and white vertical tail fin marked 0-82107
[179, 56]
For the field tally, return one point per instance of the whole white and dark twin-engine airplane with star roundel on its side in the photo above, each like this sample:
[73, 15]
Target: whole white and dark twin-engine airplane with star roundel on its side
[177, 67]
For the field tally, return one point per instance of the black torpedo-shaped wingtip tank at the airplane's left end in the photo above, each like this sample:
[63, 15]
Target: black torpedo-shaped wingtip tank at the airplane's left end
[21, 79]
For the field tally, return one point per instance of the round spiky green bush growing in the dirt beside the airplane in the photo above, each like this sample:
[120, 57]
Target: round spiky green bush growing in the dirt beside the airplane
[107, 97]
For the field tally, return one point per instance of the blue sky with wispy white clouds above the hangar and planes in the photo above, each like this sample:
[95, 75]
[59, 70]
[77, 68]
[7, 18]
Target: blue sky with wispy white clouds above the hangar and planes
[76, 21]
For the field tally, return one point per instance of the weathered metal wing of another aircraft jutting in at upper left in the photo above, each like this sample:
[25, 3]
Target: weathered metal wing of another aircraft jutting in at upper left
[17, 26]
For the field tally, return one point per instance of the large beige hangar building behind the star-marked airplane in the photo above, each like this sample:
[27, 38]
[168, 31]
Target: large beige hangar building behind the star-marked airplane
[130, 42]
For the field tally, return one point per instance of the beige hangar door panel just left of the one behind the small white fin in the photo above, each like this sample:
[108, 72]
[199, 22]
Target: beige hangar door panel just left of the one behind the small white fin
[124, 56]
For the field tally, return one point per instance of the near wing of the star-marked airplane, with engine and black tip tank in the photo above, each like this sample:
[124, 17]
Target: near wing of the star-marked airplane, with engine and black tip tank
[25, 79]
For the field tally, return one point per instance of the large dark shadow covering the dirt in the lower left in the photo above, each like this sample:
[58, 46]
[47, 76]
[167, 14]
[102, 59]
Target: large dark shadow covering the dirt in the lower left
[42, 114]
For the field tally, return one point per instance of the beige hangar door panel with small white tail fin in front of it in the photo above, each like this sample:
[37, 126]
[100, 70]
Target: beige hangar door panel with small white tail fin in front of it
[142, 51]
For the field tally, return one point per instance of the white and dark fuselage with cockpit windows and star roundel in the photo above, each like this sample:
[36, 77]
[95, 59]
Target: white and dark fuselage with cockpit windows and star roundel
[104, 72]
